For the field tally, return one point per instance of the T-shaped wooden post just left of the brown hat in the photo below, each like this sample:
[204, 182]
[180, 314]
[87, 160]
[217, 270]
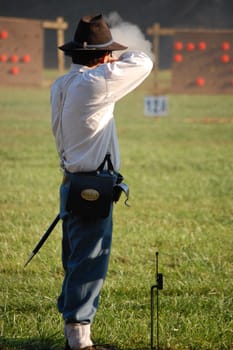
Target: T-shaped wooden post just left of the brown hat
[60, 26]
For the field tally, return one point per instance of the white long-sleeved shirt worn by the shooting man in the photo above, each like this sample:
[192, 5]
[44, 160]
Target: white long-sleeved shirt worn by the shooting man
[83, 125]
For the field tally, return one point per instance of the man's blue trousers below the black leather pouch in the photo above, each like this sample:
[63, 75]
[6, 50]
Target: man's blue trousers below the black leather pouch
[86, 246]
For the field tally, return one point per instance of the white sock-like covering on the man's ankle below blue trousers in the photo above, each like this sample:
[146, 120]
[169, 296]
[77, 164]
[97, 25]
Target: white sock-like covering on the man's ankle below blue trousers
[78, 335]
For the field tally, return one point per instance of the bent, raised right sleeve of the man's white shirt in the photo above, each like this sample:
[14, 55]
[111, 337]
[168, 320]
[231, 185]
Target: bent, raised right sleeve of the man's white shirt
[124, 75]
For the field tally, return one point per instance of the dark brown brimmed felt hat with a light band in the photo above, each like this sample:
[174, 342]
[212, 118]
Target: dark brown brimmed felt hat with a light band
[92, 33]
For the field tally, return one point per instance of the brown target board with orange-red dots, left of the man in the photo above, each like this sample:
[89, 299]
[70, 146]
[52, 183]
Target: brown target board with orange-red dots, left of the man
[21, 51]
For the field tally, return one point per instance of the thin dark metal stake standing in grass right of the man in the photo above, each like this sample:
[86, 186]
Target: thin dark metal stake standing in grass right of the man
[158, 286]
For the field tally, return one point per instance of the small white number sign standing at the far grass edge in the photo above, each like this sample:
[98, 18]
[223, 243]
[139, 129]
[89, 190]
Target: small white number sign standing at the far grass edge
[156, 106]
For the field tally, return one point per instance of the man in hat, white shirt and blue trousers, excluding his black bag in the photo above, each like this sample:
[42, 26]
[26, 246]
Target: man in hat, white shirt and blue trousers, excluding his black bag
[84, 128]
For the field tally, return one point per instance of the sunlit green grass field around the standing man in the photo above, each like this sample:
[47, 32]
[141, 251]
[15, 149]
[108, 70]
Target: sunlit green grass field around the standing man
[180, 172]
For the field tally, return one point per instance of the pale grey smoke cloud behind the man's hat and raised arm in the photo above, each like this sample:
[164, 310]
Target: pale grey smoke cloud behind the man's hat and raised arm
[129, 34]
